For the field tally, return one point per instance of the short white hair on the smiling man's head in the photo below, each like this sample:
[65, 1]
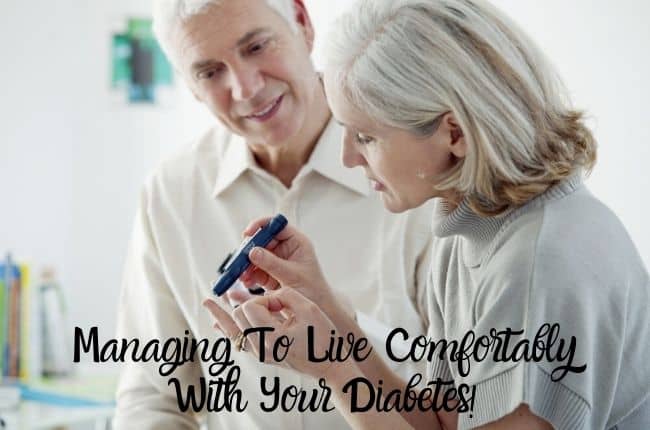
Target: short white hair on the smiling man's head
[169, 14]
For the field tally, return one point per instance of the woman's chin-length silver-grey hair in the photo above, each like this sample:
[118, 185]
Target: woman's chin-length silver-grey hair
[407, 62]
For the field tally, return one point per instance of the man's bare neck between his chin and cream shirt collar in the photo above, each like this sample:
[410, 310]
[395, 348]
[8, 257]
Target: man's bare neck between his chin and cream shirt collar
[285, 162]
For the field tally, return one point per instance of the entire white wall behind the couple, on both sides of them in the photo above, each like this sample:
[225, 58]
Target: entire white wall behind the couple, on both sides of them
[72, 161]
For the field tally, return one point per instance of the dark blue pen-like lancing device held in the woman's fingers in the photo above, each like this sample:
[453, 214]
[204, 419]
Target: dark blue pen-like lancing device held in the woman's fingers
[237, 262]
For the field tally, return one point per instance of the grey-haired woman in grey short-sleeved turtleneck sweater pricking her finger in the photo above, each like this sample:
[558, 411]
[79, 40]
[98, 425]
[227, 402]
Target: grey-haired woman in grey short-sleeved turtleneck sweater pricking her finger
[448, 99]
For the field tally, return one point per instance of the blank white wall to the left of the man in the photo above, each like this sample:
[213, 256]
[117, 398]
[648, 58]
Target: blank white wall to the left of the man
[72, 159]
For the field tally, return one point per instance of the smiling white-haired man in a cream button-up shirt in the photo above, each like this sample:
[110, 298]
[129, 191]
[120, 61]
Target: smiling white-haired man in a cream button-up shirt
[275, 150]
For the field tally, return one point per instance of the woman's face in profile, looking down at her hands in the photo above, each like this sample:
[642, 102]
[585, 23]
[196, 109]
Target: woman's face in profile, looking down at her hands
[402, 166]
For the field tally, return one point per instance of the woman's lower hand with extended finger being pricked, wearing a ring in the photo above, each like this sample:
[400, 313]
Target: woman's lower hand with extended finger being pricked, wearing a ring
[288, 313]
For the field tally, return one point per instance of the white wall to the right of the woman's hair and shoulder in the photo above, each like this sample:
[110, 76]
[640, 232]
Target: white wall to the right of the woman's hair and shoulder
[601, 50]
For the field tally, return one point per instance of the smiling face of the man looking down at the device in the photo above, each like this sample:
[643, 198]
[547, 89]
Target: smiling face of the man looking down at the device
[252, 71]
